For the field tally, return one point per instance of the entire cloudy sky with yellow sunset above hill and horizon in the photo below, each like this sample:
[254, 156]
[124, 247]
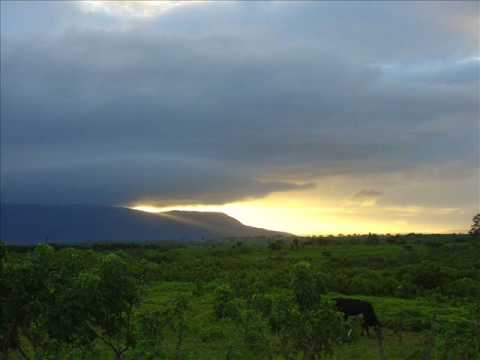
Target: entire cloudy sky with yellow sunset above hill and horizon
[306, 117]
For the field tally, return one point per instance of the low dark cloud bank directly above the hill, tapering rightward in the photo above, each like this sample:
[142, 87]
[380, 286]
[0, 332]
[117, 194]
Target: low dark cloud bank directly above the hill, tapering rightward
[166, 181]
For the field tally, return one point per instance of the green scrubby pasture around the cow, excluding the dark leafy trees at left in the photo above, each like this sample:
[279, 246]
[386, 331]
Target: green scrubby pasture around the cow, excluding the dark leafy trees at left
[424, 291]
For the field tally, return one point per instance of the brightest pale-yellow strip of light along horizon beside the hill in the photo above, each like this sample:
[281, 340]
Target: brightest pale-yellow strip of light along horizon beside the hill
[300, 218]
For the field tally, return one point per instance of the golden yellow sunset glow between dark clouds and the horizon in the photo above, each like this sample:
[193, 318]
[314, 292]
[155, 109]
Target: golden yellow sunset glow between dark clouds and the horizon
[309, 216]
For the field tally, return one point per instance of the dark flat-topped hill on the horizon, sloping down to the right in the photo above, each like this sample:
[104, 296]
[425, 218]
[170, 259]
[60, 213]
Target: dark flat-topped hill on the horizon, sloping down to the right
[25, 224]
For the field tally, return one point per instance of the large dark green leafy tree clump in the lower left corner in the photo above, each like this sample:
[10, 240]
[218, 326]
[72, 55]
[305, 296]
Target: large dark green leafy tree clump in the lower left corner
[61, 300]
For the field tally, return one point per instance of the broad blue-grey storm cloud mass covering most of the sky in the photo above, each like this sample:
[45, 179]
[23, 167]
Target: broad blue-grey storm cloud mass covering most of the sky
[188, 109]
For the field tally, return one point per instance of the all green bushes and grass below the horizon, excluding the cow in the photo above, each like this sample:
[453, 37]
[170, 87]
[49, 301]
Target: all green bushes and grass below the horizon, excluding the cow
[255, 299]
